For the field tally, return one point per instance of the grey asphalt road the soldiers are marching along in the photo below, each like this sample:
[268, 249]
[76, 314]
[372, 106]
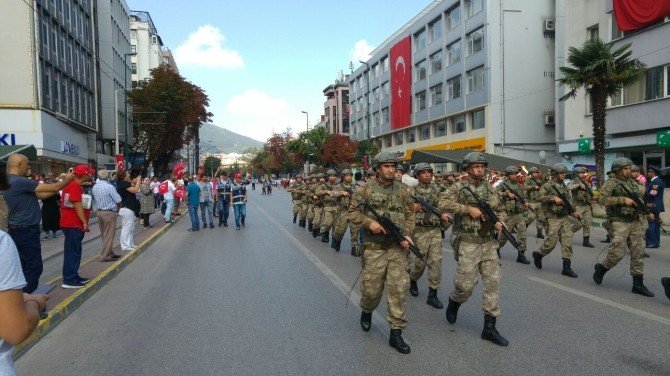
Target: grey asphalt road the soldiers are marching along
[270, 299]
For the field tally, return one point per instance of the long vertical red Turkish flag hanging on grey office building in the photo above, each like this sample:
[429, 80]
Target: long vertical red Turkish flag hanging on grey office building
[401, 83]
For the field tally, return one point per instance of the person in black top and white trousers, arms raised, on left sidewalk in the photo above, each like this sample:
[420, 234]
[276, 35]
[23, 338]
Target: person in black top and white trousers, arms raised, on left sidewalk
[127, 189]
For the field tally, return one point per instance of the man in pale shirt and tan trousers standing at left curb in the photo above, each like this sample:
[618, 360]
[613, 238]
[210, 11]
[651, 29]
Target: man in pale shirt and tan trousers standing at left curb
[106, 204]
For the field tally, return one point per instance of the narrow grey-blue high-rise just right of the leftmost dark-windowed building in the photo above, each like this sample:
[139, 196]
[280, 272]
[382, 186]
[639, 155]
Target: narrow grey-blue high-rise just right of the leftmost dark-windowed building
[113, 26]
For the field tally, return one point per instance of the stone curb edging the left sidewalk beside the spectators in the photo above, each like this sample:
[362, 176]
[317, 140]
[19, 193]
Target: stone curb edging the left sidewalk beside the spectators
[70, 304]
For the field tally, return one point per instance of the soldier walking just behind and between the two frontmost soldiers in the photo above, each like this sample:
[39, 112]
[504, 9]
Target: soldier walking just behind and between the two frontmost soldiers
[428, 236]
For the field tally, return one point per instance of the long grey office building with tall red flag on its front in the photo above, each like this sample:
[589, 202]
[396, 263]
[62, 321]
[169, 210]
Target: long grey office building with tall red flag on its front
[482, 78]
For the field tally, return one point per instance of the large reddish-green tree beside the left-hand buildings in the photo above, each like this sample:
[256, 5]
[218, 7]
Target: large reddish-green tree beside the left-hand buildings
[168, 110]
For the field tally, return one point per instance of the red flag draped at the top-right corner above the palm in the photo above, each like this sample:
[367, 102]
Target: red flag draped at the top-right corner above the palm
[636, 14]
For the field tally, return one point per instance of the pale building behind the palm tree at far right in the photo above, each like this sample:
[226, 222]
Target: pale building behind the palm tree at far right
[637, 118]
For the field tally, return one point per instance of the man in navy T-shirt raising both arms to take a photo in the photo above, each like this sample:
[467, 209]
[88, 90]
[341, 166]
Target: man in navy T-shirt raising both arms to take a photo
[25, 215]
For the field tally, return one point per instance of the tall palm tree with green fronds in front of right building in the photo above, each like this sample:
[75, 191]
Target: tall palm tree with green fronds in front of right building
[602, 71]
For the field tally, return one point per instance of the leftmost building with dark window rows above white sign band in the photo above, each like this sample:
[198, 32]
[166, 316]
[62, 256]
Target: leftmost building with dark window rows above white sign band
[48, 81]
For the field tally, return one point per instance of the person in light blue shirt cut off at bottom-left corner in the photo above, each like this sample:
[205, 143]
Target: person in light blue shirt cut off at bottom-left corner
[20, 311]
